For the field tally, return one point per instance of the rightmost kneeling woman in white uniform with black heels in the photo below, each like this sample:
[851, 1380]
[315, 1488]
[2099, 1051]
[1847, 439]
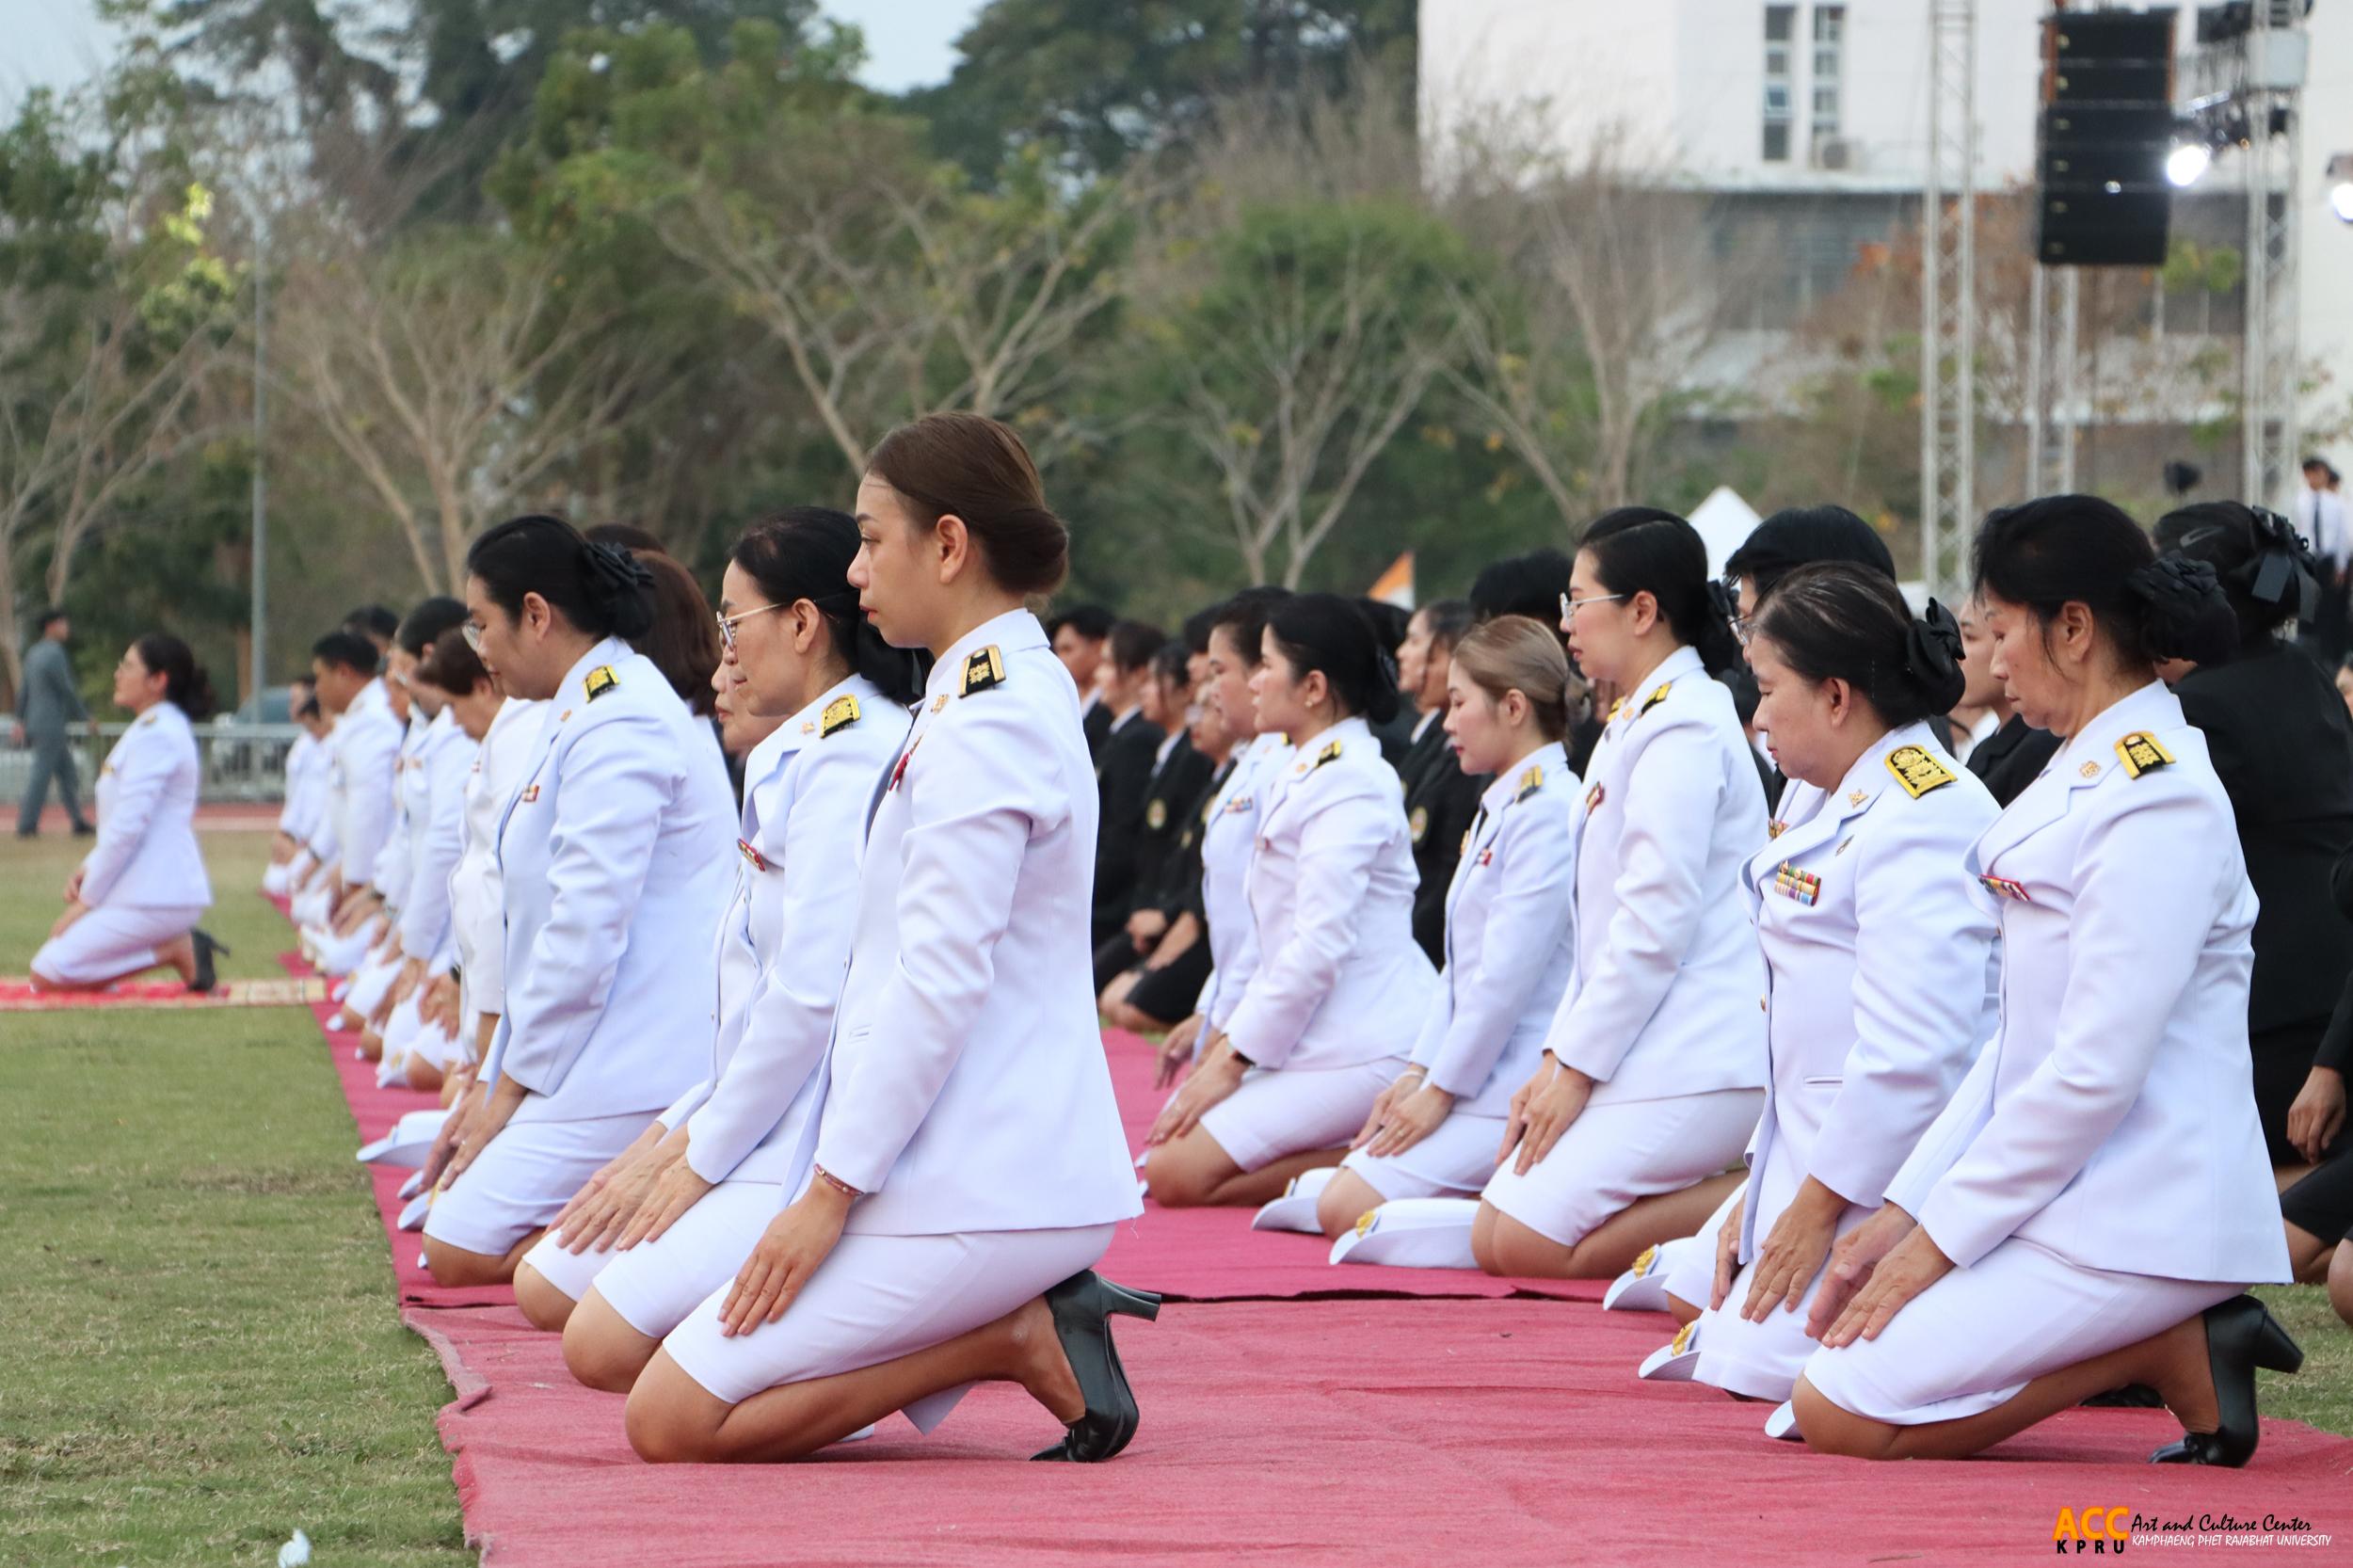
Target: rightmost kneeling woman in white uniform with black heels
[2091, 1207]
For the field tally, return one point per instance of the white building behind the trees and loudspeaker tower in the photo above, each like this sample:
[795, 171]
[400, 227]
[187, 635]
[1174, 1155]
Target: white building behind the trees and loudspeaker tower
[1818, 114]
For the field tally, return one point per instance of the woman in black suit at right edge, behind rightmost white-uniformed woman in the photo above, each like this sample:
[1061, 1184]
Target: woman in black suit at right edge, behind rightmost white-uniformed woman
[2284, 748]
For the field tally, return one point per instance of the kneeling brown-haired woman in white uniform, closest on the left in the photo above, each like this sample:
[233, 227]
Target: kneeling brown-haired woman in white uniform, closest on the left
[959, 1162]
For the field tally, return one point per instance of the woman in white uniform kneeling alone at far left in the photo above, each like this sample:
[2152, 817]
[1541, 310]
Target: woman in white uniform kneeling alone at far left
[135, 898]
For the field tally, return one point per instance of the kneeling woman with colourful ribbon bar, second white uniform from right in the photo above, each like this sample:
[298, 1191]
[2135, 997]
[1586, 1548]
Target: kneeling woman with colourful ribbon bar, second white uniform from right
[1879, 952]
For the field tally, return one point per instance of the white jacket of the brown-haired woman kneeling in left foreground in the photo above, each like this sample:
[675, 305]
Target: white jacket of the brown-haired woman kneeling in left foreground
[966, 1084]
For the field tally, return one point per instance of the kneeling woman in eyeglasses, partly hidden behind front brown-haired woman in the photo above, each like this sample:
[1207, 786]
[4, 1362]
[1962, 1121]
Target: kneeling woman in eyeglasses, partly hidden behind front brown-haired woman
[674, 1221]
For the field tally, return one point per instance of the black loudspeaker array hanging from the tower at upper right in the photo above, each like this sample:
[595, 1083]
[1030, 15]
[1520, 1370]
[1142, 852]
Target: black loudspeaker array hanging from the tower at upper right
[2107, 128]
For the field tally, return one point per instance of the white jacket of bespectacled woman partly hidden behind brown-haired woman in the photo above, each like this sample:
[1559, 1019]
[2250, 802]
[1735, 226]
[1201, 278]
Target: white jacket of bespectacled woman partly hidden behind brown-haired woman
[808, 830]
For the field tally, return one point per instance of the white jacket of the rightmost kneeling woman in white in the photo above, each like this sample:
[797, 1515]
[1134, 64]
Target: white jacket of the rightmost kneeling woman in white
[2112, 1119]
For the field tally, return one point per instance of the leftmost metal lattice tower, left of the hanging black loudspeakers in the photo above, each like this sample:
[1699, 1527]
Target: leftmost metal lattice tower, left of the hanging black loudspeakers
[1949, 300]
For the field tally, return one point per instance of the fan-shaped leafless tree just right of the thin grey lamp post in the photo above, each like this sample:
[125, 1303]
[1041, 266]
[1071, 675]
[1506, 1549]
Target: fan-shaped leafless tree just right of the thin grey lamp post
[453, 373]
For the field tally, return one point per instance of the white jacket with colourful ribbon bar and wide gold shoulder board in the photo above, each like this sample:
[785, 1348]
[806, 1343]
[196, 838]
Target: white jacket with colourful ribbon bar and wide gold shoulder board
[1879, 964]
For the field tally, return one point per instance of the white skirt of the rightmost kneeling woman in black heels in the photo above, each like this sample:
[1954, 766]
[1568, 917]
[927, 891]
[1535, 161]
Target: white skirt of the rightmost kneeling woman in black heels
[1982, 1334]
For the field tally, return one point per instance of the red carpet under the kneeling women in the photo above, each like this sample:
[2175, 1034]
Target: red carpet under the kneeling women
[1352, 1433]
